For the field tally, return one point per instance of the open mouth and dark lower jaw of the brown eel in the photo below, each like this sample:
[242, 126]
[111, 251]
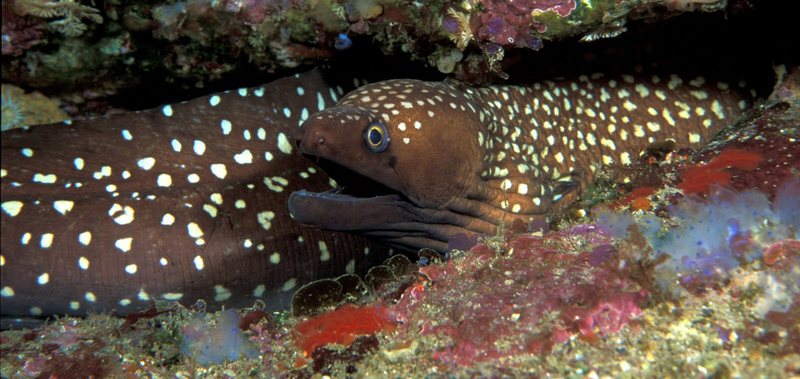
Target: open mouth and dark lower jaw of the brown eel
[365, 206]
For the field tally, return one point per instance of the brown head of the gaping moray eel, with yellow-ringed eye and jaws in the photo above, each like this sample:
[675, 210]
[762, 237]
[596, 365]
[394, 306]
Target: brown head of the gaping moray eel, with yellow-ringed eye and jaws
[408, 162]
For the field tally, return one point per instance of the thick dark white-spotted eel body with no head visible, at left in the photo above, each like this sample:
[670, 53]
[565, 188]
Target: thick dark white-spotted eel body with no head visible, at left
[183, 202]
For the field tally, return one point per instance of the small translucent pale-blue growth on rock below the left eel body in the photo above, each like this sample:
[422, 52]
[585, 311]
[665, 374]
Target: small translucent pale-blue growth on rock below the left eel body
[218, 343]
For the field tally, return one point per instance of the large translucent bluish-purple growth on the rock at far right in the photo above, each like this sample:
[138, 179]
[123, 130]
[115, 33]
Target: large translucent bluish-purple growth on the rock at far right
[704, 240]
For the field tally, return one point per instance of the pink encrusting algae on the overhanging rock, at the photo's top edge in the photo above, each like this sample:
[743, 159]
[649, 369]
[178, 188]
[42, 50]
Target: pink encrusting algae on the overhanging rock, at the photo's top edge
[510, 23]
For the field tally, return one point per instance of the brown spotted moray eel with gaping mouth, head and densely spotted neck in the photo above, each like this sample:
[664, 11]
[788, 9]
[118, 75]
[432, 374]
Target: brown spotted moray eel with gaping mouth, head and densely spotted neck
[420, 161]
